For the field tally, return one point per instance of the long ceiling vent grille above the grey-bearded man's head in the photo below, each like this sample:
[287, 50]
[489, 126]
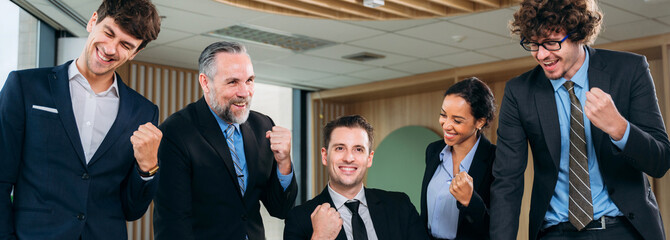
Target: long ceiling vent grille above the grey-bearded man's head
[293, 42]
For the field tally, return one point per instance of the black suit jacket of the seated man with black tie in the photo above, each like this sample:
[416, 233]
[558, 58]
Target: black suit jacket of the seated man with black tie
[392, 213]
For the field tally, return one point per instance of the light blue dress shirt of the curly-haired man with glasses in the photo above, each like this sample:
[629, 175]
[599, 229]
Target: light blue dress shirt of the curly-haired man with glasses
[602, 204]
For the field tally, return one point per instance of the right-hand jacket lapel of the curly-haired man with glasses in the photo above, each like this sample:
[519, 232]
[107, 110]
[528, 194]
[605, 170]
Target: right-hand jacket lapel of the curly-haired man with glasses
[600, 79]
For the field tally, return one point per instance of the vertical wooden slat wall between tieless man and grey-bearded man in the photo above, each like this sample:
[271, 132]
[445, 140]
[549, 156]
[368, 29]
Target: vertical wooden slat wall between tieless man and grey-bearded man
[171, 89]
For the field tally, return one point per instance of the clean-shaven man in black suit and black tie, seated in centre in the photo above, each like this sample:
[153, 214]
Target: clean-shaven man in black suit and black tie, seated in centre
[345, 209]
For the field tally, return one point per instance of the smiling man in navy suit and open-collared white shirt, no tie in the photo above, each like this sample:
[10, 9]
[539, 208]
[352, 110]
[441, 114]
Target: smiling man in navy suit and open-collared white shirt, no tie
[77, 145]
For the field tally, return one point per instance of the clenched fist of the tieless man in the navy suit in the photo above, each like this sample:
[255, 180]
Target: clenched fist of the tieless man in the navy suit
[145, 142]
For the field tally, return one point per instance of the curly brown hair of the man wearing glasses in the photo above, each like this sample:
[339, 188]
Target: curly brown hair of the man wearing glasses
[539, 18]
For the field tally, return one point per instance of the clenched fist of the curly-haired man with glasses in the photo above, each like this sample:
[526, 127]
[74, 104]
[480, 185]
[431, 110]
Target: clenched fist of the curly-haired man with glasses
[602, 112]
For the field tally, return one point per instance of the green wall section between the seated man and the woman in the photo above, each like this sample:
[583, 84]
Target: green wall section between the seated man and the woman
[399, 162]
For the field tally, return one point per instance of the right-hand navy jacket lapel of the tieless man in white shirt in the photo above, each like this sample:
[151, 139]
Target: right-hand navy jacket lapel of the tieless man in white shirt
[122, 122]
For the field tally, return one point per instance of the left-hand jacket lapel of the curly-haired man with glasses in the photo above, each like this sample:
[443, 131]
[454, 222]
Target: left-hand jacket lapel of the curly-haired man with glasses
[545, 103]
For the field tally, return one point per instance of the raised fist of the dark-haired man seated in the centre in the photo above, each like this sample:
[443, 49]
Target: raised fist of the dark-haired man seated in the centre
[326, 222]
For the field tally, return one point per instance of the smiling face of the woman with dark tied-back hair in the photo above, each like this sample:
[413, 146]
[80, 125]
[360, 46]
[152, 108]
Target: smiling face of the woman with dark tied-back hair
[459, 127]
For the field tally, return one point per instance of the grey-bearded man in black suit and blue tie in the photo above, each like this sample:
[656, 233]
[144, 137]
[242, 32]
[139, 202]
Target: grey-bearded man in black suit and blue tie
[219, 158]
